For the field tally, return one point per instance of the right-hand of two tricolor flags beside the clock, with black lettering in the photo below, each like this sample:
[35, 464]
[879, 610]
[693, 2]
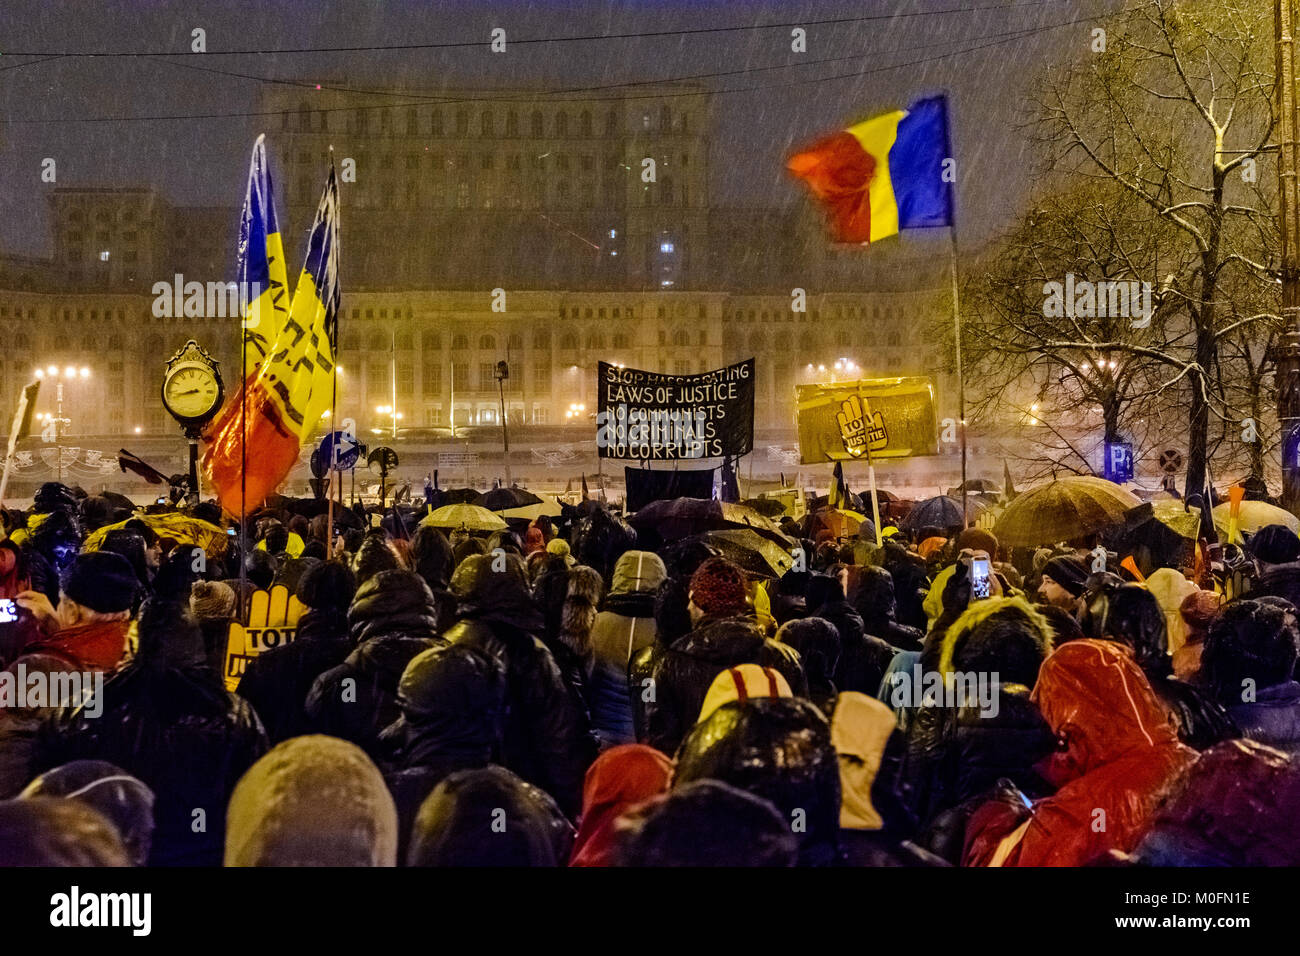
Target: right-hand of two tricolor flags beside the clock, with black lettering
[294, 383]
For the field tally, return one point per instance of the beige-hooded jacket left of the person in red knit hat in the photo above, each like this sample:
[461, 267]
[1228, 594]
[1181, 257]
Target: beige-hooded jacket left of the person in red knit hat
[623, 628]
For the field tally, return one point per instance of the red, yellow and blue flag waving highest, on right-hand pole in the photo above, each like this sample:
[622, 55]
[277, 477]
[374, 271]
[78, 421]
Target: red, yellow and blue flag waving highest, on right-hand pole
[883, 175]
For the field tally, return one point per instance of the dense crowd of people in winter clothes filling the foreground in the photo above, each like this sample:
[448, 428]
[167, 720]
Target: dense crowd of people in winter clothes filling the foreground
[577, 693]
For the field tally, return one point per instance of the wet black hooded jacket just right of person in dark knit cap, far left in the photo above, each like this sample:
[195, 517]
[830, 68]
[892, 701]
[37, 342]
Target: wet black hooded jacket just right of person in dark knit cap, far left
[168, 721]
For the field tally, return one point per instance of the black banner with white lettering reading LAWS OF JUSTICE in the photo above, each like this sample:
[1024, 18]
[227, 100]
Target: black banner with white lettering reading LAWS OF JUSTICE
[661, 418]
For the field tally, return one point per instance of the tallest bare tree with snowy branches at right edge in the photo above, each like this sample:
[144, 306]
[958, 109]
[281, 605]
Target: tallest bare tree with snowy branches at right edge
[1177, 113]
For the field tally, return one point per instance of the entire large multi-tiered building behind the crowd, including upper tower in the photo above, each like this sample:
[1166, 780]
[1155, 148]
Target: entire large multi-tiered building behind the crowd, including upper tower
[549, 232]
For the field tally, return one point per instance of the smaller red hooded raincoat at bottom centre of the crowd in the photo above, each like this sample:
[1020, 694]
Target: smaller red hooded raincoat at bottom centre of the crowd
[621, 778]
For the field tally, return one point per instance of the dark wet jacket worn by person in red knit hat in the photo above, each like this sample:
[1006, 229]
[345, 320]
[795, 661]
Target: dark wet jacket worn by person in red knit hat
[684, 673]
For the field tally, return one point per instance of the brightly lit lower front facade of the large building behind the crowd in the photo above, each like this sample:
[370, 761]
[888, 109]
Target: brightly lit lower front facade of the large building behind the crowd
[434, 354]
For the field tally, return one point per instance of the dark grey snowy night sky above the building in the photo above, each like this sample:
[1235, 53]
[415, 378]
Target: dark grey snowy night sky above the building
[73, 109]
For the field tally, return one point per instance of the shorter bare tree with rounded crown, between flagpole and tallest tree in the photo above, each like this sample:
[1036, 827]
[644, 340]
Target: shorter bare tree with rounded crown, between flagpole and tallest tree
[1064, 382]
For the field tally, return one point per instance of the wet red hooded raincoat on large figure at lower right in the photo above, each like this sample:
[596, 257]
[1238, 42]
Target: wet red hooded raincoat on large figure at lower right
[1121, 752]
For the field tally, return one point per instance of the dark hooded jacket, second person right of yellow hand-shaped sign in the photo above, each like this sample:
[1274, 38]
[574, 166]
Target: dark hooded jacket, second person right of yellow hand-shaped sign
[392, 620]
